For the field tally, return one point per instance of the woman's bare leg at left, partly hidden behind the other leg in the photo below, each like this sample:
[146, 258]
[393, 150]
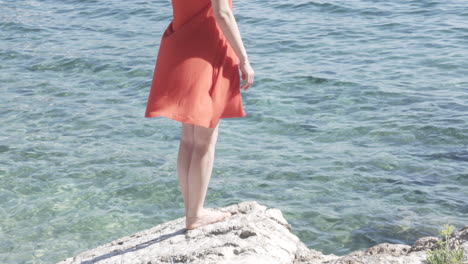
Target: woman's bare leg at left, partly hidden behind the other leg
[183, 160]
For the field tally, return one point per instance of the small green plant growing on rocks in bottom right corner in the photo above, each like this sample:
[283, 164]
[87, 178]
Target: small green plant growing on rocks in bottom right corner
[443, 254]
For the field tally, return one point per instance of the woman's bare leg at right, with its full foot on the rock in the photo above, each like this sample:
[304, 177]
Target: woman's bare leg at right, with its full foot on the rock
[199, 175]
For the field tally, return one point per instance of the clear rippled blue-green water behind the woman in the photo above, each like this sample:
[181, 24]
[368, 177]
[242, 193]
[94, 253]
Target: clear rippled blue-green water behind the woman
[356, 125]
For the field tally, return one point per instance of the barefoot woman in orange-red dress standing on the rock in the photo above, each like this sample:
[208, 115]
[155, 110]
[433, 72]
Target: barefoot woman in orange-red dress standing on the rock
[196, 81]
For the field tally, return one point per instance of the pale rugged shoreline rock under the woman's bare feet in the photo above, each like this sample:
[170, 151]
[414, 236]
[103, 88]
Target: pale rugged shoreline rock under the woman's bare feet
[253, 234]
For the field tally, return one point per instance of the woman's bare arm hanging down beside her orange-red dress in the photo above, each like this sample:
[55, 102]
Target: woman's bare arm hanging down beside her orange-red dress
[226, 21]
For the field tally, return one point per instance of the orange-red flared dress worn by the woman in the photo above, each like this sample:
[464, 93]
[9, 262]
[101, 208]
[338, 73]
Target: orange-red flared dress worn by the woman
[196, 78]
